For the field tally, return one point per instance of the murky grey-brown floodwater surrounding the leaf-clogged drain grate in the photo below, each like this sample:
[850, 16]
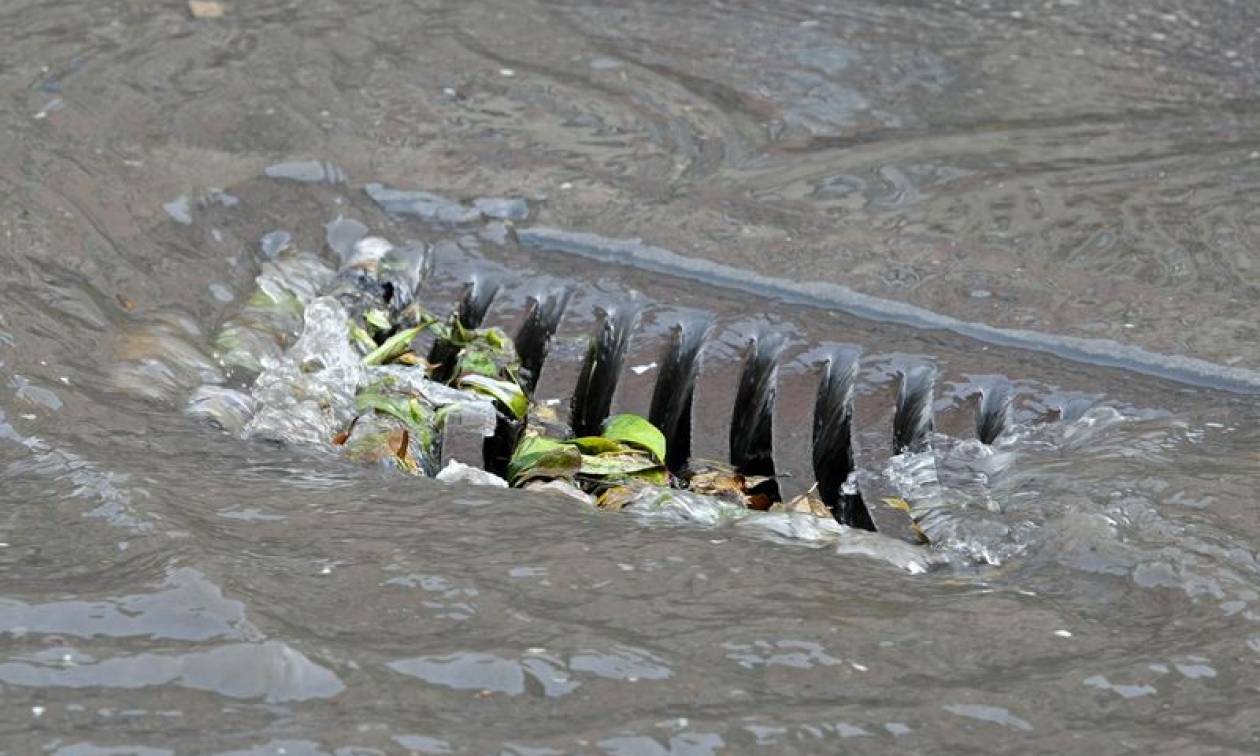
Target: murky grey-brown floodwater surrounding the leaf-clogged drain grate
[1062, 169]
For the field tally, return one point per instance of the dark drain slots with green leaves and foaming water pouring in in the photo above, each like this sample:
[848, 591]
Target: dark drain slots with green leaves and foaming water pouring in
[379, 287]
